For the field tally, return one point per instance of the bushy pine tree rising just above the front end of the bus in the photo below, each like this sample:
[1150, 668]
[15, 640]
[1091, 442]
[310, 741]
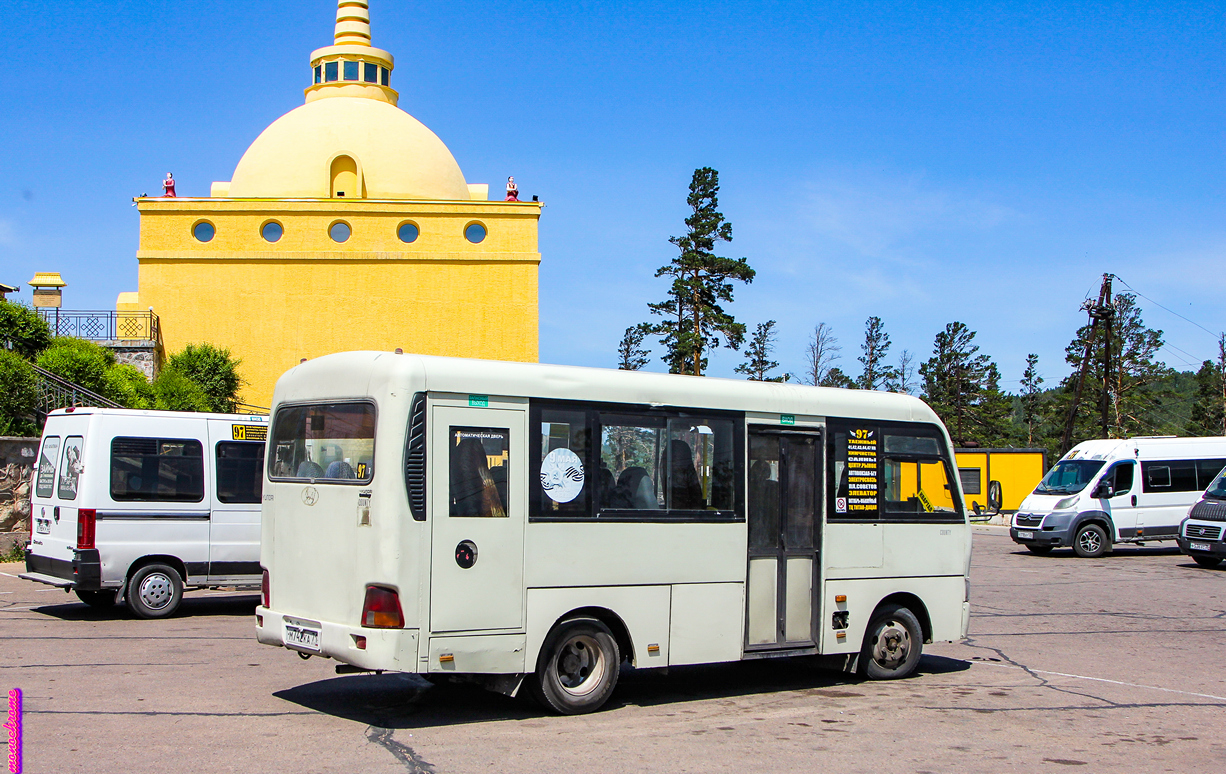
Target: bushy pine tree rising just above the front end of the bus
[964, 388]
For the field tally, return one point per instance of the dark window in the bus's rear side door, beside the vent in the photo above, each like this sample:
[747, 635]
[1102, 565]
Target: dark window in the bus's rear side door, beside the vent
[479, 472]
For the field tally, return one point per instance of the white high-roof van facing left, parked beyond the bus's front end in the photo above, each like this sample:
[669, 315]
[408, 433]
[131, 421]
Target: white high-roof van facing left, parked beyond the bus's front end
[1111, 491]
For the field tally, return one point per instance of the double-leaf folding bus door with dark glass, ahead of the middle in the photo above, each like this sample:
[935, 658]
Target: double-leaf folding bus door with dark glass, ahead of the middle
[785, 537]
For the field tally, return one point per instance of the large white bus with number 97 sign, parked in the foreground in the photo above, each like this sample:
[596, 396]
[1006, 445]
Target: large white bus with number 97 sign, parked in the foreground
[524, 524]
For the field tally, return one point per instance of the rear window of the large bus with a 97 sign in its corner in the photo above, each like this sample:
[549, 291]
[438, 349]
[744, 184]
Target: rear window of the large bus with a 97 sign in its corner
[324, 442]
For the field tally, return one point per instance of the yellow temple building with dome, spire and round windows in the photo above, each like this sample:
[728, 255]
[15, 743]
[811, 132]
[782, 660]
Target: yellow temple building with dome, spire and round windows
[348, 225]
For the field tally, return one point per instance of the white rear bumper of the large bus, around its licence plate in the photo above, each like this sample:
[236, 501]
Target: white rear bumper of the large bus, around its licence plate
[370, 649]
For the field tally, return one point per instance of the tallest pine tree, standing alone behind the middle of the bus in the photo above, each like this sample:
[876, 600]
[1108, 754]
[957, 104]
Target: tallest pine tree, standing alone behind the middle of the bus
[695, 322]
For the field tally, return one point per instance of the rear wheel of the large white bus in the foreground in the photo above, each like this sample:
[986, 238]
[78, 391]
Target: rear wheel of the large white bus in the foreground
[578, 668]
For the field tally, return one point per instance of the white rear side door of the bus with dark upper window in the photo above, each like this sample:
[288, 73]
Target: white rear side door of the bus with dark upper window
[479, 458]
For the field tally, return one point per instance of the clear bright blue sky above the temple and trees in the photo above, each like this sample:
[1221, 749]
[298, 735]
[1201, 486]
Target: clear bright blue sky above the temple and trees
[920, 163]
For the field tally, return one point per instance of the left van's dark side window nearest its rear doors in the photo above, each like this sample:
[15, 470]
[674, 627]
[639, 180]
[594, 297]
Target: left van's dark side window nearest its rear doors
[158, 470]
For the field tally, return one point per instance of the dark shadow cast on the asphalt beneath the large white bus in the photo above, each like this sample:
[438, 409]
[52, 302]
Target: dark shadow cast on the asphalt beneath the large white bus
[399, 701]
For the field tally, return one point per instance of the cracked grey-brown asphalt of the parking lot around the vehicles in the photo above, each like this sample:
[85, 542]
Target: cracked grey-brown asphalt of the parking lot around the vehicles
[1108, 665]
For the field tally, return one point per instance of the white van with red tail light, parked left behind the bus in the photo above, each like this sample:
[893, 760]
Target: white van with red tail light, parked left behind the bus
[135, 506]
